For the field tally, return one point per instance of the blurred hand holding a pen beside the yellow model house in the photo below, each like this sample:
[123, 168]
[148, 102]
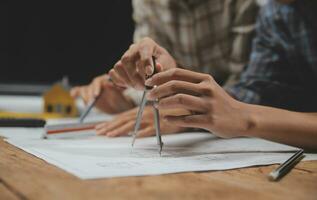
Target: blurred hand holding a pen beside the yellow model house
[111, 100]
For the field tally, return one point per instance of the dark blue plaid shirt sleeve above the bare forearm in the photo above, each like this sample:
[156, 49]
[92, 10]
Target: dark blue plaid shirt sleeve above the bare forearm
[274, 76]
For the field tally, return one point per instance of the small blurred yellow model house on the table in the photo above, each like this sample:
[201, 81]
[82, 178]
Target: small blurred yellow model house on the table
[57, 100]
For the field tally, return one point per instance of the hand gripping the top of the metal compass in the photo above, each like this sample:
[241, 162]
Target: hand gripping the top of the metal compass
[136, 63]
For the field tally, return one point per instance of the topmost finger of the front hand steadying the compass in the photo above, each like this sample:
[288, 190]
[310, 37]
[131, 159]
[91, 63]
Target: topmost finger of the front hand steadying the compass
[175, 74]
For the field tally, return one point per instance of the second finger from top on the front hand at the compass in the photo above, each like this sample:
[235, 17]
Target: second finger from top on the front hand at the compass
[174, 87]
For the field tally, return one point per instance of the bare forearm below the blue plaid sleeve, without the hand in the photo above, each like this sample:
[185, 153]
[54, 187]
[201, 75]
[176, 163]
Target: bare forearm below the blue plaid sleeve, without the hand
[293, 128]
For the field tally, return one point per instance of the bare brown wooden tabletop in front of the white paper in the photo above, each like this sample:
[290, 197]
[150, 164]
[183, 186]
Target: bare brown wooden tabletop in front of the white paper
[23, 176]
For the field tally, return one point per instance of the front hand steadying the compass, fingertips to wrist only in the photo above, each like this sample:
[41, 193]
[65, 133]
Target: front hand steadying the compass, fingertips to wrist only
[210, 106]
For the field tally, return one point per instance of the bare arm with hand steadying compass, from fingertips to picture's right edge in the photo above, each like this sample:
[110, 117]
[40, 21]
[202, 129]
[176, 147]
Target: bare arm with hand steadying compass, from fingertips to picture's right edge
[212, 109]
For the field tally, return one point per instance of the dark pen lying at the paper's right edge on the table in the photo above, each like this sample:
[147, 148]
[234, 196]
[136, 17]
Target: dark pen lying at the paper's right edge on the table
[284, 168]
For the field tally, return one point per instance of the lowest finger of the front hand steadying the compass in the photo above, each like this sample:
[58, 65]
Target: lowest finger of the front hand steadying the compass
[192, 121]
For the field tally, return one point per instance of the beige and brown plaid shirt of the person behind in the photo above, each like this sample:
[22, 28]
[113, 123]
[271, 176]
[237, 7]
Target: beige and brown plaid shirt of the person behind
[211, 36]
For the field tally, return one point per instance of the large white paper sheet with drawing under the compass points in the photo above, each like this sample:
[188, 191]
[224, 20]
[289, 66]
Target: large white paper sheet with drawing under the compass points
[101, 157]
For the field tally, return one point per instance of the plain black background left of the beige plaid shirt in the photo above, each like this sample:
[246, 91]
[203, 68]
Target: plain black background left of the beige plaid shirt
[42, 41]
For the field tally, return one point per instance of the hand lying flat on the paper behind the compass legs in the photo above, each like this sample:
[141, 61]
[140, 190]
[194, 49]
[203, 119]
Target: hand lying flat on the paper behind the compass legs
[124, 123]
